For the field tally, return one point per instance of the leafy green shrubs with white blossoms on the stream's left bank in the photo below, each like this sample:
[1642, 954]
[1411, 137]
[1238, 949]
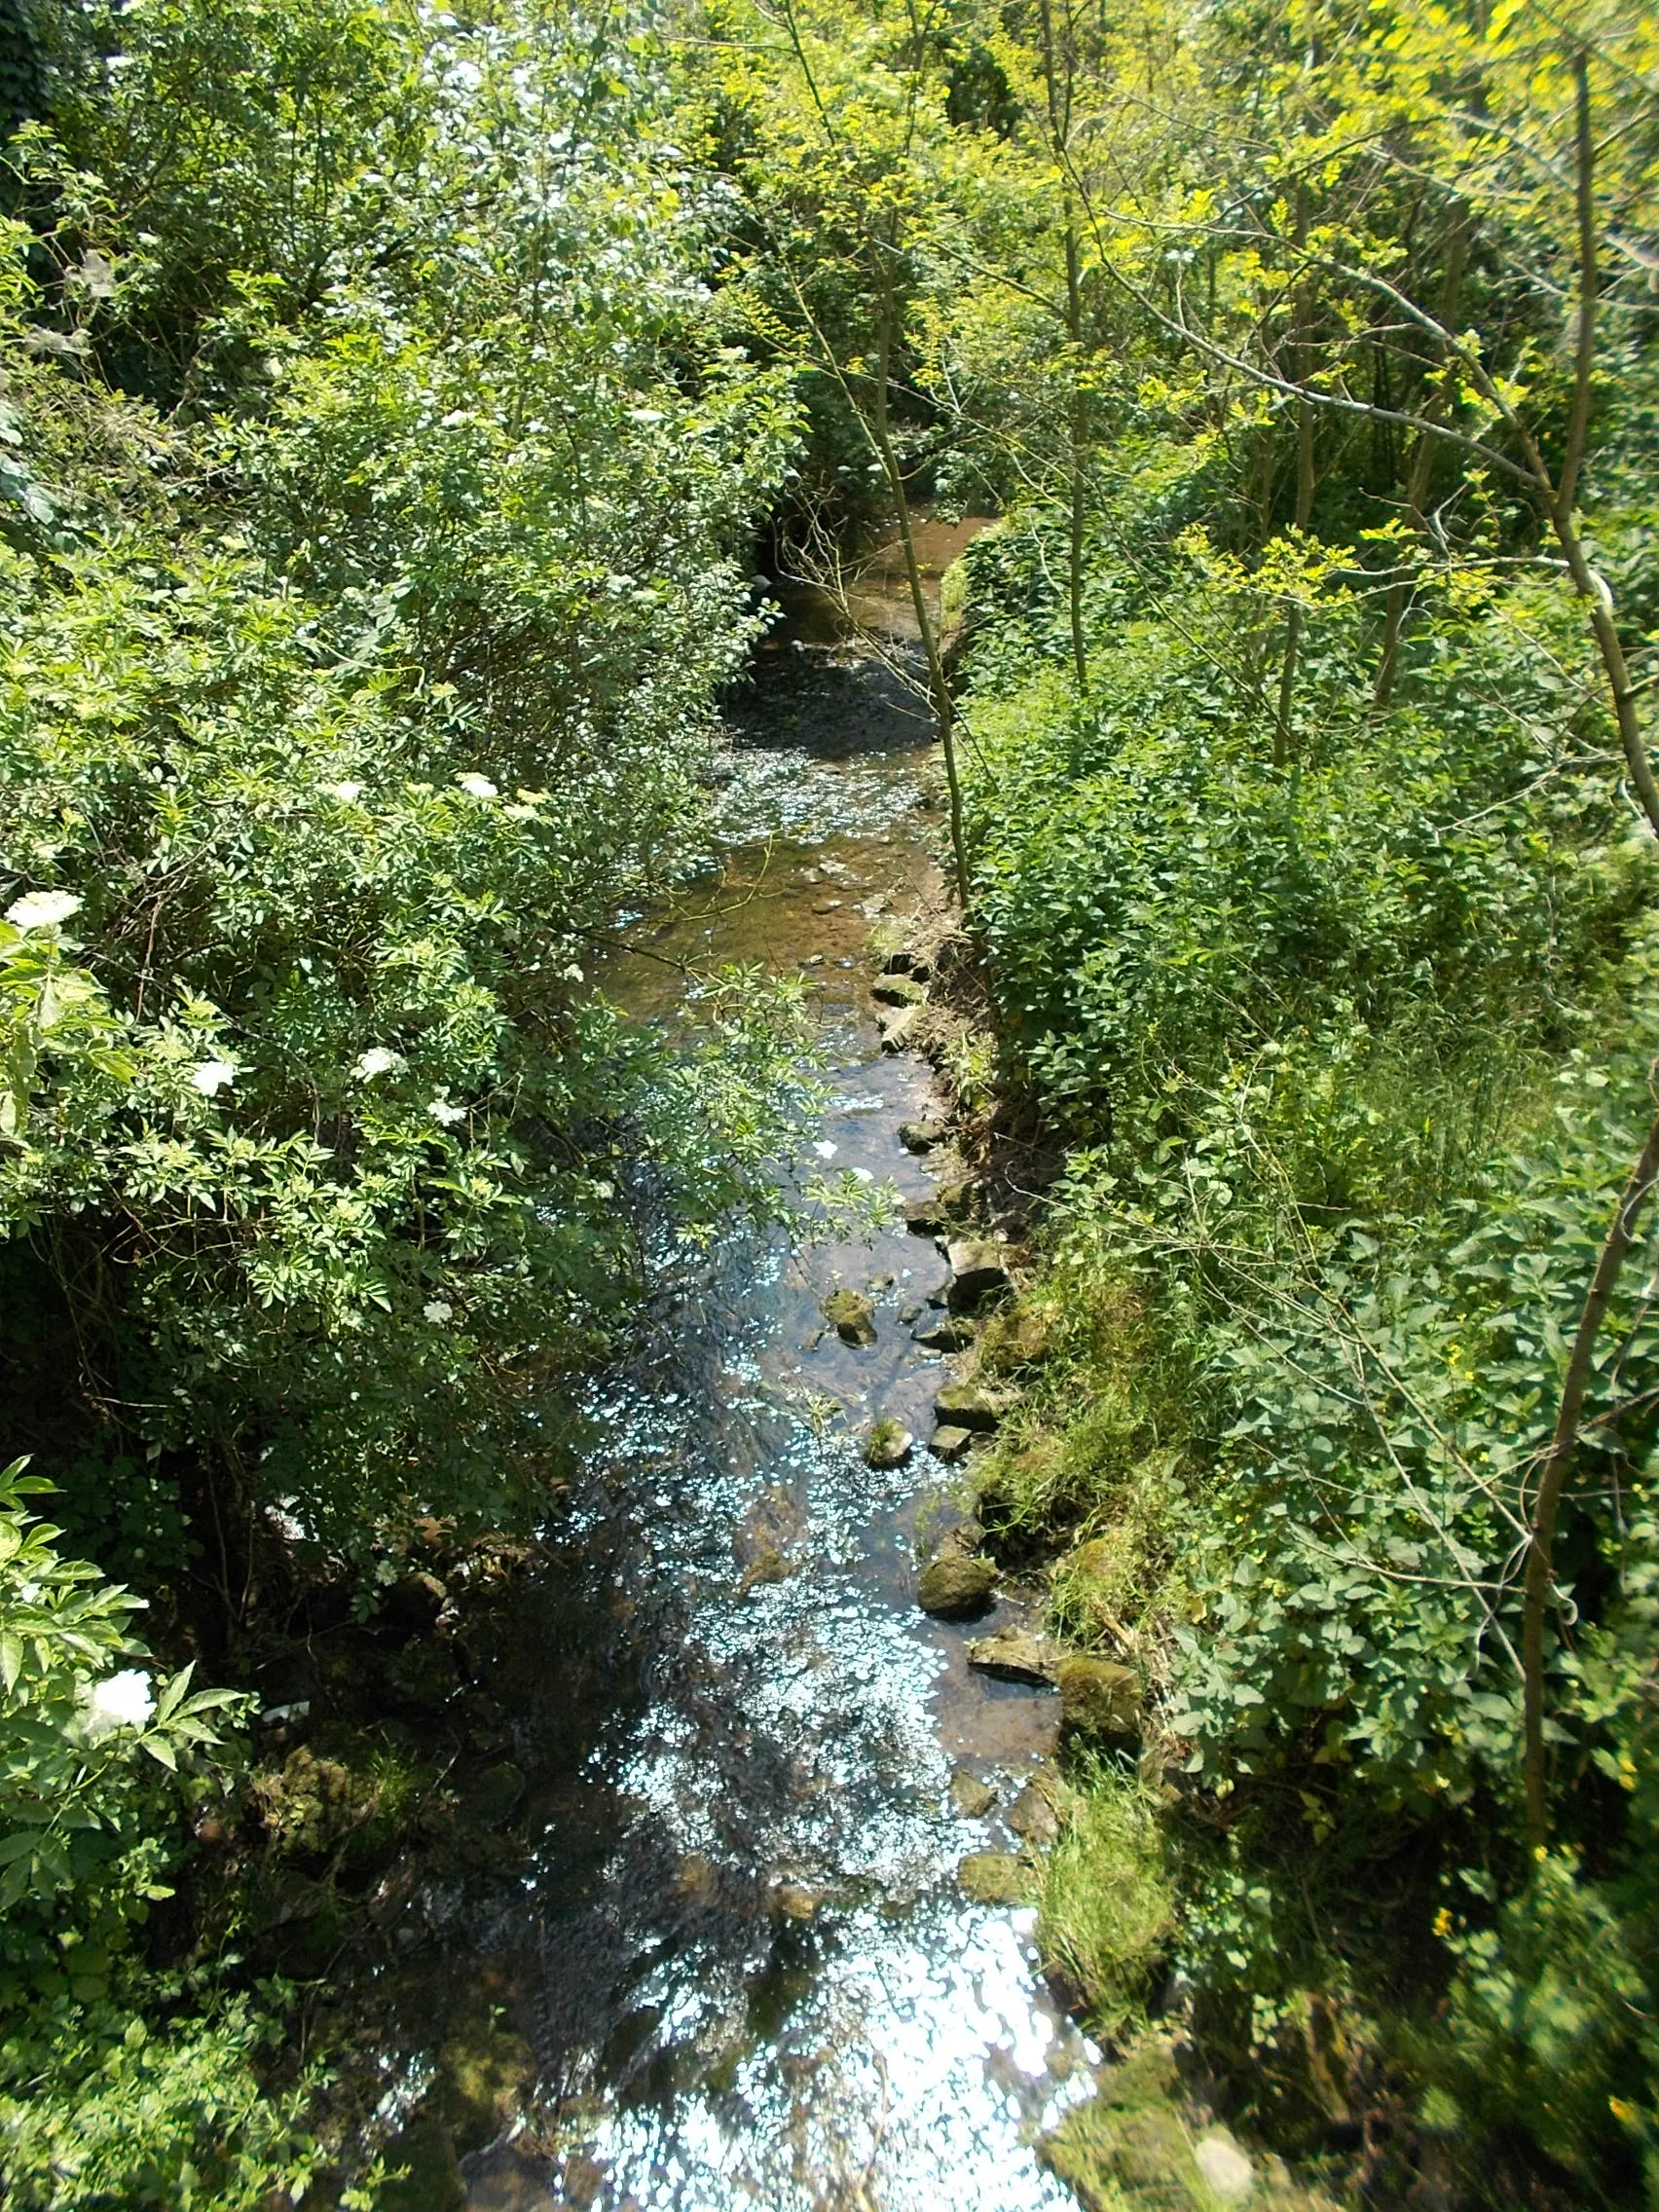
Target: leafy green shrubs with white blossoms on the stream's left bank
[377, 523]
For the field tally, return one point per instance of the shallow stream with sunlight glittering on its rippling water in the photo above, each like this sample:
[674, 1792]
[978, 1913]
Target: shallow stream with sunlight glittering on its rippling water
[738, 1948]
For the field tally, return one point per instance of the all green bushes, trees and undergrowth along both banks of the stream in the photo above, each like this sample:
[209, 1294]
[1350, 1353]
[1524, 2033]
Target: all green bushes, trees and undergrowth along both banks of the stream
[388, 406]
